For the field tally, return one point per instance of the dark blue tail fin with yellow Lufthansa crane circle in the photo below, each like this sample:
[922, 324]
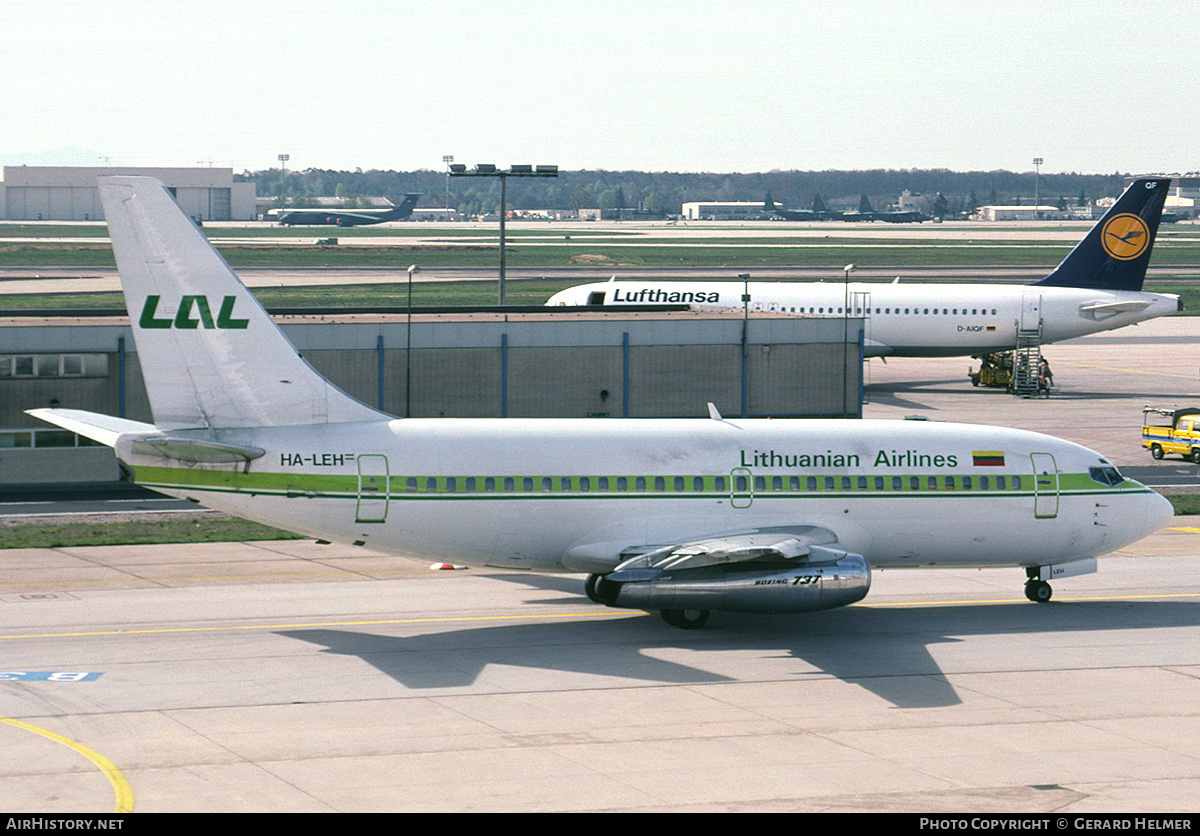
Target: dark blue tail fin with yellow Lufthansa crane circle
[1115, 254]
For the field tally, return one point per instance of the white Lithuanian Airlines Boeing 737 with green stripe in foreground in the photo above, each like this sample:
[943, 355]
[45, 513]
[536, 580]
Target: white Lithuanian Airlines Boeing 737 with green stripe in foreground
[682, 516]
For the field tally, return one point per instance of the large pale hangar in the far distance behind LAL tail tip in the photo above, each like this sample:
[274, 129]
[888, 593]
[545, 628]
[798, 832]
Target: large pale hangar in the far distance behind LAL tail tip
[69, 194]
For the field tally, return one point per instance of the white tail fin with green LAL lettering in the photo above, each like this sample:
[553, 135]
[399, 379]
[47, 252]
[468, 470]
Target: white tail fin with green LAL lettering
[211, 356]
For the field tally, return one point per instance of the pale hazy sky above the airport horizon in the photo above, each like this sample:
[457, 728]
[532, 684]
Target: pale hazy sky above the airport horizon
[1096, 87]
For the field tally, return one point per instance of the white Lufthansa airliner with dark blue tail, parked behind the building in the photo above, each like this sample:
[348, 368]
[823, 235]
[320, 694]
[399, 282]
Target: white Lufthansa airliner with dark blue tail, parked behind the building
[1096, 288]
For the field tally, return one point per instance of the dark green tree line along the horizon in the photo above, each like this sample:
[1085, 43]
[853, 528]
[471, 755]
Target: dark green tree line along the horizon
[665, 193]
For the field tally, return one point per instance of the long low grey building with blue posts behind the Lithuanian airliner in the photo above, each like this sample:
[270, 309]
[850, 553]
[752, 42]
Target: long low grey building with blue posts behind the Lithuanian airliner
[484, 365]
